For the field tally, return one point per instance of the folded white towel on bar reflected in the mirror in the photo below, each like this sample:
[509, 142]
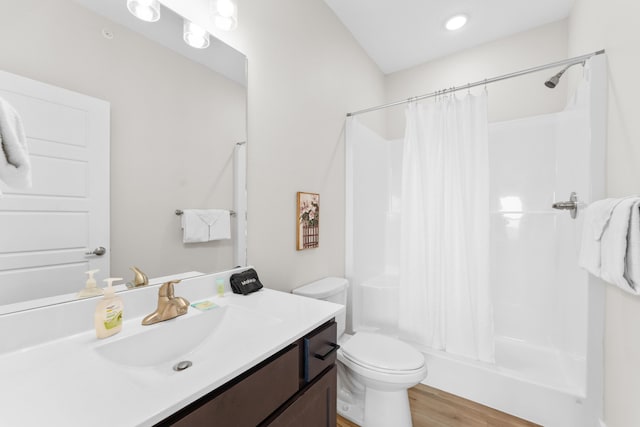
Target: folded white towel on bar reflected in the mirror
[204, 225]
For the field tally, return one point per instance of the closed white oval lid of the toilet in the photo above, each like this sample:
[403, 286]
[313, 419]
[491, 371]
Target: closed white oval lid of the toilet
[381, 352]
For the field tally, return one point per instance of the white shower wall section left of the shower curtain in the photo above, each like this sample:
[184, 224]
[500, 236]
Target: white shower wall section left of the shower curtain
[372, 192]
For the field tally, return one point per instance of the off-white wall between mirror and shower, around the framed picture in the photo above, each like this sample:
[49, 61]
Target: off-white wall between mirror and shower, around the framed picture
[305, 73]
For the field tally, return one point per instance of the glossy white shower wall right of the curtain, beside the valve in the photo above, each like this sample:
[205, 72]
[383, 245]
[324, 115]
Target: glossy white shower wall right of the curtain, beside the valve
[538, 292]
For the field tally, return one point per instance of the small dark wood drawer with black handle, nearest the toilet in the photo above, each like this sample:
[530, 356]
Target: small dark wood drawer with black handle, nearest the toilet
[320, 349]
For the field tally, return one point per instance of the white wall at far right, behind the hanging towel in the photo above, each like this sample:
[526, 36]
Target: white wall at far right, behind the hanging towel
[612, 25]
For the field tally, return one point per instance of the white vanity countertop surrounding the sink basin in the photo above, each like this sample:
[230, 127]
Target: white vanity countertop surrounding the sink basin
[66, 382]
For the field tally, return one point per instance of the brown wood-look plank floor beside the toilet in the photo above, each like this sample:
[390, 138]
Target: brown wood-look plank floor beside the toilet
[431, 407]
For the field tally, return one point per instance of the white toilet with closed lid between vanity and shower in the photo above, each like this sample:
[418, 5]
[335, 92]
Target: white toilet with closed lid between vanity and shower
[374, 371]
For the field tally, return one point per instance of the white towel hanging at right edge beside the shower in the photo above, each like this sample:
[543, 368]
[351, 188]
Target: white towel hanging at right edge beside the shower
[611, 242]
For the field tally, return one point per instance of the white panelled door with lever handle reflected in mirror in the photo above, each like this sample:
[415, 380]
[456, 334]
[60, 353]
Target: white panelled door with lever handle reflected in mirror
[47, 233]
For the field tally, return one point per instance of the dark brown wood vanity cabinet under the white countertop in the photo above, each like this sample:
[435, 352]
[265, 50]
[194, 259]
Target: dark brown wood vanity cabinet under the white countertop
[296, 386]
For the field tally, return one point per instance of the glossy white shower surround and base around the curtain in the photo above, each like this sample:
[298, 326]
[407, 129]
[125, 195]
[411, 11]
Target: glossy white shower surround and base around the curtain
[547, 312]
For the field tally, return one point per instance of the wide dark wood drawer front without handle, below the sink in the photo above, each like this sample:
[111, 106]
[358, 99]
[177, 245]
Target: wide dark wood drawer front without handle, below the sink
[253, 398]
